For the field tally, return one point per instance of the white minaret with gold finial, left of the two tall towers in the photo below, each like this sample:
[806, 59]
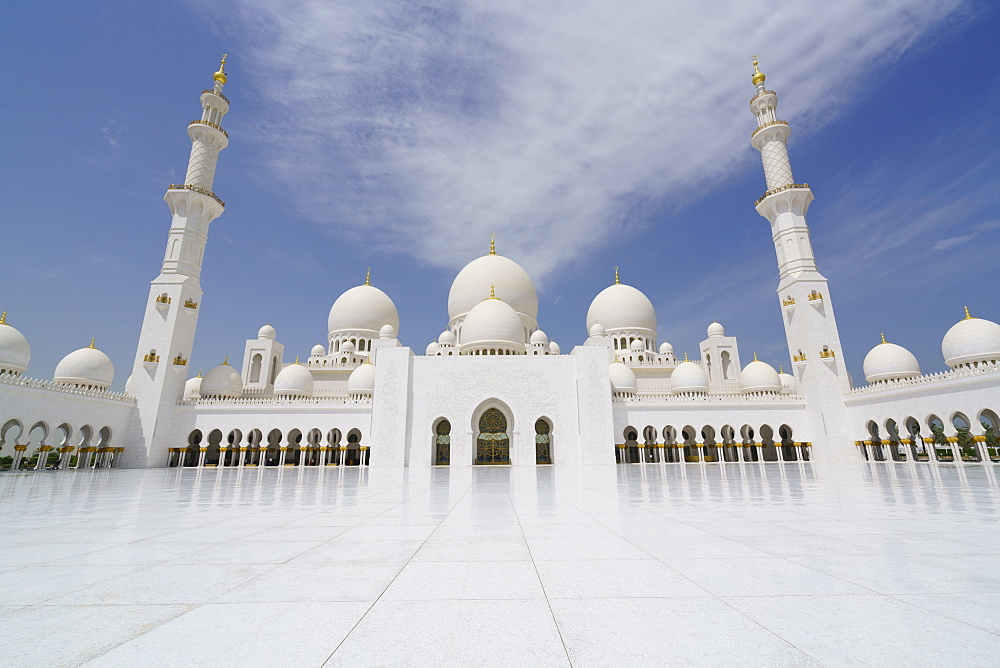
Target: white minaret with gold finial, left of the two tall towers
[168, 328]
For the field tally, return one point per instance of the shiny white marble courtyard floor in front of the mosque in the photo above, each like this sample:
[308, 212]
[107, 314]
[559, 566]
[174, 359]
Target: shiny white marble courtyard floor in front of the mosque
[771, 565]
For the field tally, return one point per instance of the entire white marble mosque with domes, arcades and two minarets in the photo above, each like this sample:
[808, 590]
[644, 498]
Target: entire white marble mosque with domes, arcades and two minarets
[493, 389]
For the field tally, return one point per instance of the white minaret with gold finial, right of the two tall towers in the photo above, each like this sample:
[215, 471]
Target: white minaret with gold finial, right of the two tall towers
[806, 302]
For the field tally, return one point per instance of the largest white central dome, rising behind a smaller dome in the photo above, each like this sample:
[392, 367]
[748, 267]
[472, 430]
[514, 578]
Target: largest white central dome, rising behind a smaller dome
[510, 283]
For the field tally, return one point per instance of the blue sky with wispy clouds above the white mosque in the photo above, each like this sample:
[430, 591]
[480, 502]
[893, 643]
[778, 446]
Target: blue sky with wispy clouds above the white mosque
[399, 135]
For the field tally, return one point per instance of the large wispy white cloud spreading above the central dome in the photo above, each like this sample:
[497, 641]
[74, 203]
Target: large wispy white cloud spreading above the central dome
[424, 127]
